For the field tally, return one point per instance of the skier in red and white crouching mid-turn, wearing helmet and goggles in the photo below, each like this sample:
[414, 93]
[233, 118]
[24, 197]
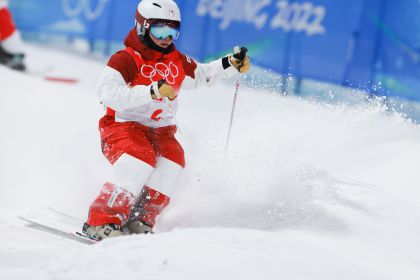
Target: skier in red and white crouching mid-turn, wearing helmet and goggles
[140, 88]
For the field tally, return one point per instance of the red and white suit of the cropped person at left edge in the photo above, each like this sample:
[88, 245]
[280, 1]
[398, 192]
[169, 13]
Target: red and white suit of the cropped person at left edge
[10, 39]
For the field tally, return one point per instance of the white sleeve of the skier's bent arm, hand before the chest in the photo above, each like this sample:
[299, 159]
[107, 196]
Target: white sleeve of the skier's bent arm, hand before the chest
[114, 92]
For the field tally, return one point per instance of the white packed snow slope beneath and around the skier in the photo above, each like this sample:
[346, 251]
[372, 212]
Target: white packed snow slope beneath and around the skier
[306, 190]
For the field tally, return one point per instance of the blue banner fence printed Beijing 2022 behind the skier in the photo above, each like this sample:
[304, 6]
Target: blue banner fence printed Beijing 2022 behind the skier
[369, 44]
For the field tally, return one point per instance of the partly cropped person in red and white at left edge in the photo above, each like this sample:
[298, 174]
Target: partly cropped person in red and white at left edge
[11, 47]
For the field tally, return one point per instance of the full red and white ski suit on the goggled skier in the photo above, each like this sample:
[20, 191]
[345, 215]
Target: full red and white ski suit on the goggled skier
[138, 132]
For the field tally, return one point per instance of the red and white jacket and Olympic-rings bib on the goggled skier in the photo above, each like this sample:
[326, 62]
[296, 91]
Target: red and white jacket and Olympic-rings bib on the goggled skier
[124, 87]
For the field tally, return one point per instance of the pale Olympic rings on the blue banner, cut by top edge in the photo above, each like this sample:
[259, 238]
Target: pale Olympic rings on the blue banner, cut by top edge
[83, 7]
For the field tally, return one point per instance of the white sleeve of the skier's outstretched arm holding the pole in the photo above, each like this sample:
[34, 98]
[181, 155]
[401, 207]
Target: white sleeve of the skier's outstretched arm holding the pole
[208, 73]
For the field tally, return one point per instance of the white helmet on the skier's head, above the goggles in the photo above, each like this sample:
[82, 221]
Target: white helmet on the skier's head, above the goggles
[151, 12]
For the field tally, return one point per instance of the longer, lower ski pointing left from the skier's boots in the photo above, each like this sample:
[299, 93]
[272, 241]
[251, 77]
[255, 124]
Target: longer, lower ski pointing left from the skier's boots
[72, 235]
